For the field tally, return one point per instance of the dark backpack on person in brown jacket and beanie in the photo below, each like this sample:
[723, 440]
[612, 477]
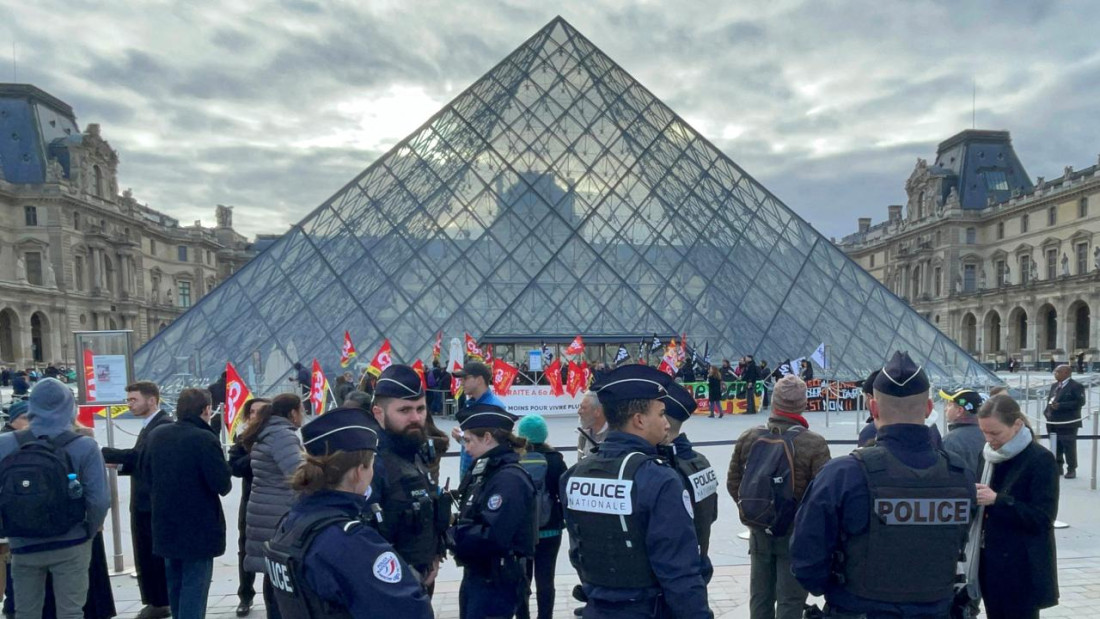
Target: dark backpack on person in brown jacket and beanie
[767, 492]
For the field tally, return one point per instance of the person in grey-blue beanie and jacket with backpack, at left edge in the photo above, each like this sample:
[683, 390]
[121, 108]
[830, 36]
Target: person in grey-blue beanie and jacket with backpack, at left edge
[51, 534]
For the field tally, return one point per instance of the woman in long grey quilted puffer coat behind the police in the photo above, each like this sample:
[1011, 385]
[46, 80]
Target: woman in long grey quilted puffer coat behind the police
[276, 452]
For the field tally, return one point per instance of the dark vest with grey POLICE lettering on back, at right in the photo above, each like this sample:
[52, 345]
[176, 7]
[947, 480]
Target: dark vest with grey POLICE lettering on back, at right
[919, 517]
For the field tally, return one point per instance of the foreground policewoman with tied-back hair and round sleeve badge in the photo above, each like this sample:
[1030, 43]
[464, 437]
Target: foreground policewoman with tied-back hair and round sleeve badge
[324, 561]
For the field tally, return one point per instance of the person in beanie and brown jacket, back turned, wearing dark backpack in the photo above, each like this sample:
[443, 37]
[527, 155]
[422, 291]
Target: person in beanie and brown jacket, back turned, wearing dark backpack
[774, 591]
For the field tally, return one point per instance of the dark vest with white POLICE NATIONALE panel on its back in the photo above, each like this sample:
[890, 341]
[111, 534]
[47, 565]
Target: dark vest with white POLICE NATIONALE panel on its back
[609, 543]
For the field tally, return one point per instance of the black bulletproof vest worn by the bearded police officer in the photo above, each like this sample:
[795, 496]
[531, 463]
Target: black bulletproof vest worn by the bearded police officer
[409, 511]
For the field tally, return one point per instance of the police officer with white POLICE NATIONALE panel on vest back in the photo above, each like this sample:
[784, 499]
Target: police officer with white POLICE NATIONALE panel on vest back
[629, 515]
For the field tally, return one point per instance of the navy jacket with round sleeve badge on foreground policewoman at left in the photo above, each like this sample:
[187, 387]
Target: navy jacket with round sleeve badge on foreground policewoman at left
[355, 568]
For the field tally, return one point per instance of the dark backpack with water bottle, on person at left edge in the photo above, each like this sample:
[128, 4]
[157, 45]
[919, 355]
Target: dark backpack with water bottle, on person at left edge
[35, 489]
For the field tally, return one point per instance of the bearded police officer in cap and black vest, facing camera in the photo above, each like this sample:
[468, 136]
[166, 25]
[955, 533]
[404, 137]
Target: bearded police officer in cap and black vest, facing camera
[412, 517]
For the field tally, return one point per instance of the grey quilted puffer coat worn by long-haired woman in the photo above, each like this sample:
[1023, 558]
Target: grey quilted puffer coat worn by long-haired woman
[274, 458]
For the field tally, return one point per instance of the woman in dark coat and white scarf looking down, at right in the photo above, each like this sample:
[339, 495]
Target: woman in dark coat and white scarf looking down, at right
[1018, 570]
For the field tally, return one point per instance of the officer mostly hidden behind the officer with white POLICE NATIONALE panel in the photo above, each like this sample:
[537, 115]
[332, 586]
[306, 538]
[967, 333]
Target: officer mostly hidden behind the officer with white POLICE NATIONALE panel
[699, 477]
